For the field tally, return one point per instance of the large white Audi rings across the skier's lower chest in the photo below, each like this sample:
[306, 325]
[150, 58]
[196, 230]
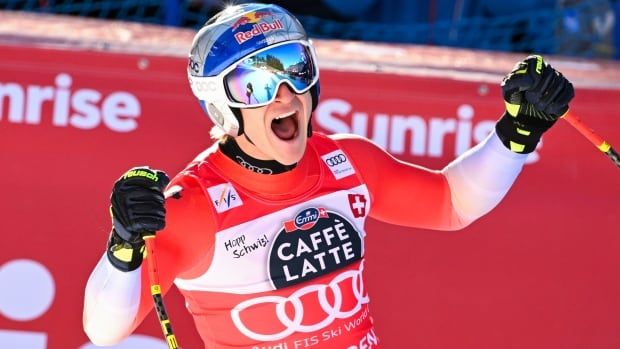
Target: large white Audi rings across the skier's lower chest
[332, 310]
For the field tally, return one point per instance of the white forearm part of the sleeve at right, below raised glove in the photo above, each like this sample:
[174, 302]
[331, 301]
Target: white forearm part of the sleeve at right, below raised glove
[480, 178]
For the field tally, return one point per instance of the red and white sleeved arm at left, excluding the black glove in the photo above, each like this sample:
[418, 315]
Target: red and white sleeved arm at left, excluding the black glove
[116, 301]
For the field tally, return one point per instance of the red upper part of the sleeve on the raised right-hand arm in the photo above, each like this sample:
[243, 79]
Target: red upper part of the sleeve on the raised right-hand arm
[401, 193]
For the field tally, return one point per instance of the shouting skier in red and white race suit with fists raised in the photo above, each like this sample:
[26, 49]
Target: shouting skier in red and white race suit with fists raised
[263, 233]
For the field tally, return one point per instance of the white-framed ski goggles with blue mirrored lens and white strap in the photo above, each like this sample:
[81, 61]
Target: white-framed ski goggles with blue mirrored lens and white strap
[254, 80]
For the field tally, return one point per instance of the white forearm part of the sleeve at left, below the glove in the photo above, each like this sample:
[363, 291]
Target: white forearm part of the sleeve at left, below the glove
[111, 302]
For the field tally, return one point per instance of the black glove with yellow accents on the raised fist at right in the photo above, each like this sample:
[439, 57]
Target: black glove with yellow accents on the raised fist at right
[536, 95]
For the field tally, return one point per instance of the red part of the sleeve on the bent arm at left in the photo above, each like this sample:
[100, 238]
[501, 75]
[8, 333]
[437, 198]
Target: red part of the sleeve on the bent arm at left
[186, 242]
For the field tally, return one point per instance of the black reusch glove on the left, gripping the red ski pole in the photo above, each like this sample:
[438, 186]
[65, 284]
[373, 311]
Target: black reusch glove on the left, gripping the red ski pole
[137, 208]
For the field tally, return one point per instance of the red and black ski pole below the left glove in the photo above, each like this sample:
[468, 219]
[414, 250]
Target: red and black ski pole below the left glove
[149, 241]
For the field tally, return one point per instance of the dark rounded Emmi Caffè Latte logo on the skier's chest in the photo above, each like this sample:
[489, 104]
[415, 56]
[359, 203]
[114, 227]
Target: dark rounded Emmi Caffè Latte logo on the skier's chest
[314, 243]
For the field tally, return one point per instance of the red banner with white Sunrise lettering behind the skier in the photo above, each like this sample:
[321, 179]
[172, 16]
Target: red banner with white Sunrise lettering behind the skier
[540, 271]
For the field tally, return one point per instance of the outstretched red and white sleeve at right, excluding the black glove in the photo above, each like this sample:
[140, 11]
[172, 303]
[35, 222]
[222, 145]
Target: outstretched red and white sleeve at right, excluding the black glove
[450, 199]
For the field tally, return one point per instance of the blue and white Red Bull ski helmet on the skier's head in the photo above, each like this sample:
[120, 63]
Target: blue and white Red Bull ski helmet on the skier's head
[228, 38]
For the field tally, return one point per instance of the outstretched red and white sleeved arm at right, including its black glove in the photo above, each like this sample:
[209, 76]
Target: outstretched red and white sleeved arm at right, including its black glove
[535, 95]
